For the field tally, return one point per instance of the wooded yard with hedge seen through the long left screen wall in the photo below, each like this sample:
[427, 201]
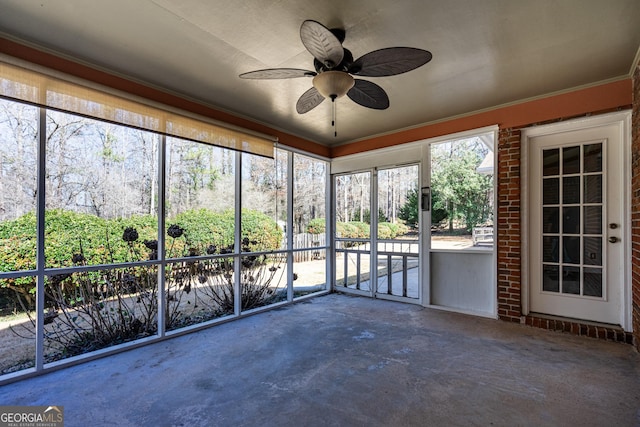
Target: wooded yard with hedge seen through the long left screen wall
[102, 191]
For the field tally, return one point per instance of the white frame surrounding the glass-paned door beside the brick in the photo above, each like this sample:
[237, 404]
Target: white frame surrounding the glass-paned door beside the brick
[623, 122]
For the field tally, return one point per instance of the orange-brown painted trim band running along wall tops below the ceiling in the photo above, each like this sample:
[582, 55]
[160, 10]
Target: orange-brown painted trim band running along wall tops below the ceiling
[593, 99]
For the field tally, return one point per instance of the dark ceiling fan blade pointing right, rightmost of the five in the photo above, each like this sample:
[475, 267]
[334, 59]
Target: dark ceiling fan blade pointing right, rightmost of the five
[390, 61]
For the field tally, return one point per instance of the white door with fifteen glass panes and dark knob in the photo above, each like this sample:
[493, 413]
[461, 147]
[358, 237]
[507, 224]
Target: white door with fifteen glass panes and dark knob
[577, 224]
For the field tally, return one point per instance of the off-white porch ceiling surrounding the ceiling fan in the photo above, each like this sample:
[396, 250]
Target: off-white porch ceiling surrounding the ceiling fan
[485, 52]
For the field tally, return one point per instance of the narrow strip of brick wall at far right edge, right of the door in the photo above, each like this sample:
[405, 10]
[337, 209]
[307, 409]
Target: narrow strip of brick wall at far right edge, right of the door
[635, 207]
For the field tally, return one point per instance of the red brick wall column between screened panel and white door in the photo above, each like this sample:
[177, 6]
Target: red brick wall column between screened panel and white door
[508, 226]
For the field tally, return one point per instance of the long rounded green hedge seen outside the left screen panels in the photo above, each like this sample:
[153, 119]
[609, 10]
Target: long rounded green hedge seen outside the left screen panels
[100, 241]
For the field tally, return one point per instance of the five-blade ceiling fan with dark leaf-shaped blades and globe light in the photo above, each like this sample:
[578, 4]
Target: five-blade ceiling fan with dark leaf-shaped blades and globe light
[335, 68]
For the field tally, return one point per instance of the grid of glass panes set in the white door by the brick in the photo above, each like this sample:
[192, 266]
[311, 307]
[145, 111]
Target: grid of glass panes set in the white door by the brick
[573, 244]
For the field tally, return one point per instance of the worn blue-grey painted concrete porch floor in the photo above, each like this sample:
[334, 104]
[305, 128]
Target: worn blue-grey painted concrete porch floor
[351, 361]
